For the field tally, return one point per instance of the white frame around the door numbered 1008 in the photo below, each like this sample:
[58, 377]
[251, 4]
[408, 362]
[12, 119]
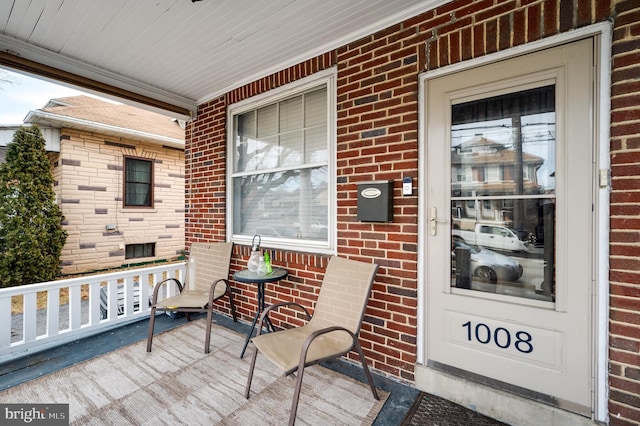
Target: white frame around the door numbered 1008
[602, 35]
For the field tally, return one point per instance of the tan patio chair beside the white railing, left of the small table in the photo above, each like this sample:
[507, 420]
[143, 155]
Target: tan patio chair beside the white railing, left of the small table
[206, 280]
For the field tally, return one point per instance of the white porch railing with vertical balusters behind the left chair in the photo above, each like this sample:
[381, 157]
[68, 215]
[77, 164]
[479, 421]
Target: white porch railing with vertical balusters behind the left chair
[57, 323]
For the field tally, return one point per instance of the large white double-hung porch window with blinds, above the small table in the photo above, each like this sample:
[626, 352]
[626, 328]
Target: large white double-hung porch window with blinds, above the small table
[281, 167]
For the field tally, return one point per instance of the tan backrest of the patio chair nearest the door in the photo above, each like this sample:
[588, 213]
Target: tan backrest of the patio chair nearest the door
[344, 294]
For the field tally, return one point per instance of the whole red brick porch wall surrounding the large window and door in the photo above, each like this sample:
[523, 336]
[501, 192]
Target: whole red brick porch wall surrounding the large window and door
[377, 129]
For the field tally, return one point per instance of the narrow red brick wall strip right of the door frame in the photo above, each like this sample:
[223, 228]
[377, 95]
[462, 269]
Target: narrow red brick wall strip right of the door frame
[624, 329]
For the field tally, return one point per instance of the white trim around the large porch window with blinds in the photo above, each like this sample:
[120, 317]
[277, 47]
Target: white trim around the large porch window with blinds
[327, 77]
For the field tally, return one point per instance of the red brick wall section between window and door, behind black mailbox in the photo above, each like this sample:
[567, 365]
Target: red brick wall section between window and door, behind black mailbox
[378, 140]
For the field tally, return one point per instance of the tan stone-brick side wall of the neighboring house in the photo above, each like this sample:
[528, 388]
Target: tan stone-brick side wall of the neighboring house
[89, 181]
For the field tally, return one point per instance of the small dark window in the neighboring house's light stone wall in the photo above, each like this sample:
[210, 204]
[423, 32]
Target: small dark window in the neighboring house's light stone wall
[138, 182]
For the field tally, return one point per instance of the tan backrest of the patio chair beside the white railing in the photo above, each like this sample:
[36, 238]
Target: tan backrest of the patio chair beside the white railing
[207, 263]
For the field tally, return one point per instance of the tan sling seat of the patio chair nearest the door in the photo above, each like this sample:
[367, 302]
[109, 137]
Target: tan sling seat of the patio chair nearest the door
[283, 347]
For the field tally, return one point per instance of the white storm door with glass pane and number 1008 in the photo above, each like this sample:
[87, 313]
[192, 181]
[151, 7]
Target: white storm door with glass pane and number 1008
[509, 159]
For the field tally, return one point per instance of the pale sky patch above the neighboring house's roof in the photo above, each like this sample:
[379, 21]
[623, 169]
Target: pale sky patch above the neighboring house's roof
[24, 94]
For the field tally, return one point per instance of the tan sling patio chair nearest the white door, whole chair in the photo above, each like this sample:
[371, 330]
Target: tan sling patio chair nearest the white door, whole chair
[331, 332]
